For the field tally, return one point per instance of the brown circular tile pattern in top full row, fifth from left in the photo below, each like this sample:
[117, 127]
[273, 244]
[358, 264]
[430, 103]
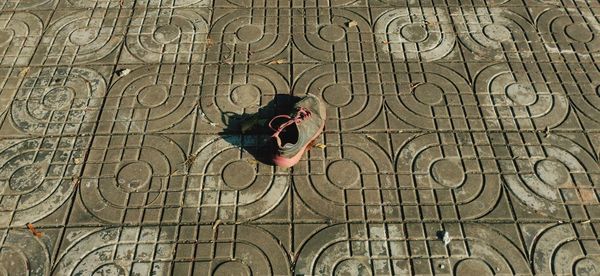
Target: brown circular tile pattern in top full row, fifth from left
[327, 36]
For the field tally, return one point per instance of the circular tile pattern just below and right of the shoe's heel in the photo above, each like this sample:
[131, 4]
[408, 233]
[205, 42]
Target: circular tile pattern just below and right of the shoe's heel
[325, 185]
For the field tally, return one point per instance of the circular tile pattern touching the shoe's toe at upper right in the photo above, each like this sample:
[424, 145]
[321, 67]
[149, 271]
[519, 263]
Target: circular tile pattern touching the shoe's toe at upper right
[352, 102]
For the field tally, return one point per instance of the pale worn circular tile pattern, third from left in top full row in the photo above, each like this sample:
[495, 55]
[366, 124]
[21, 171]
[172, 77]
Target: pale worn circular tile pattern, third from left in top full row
[182, 40]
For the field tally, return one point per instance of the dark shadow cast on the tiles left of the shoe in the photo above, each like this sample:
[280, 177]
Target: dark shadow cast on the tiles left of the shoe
[250, 131]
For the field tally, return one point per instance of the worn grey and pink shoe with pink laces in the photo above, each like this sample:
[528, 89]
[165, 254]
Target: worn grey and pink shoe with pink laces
[294, 136]
